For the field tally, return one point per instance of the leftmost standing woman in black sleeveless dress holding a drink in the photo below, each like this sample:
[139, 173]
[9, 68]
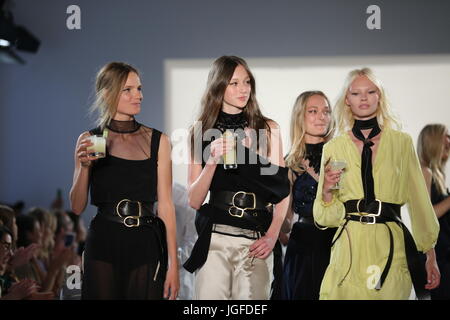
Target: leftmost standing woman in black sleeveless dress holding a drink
[130, 249]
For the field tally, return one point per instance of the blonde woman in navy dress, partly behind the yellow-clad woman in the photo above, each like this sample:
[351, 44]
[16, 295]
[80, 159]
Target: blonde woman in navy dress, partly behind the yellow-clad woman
[308, 249]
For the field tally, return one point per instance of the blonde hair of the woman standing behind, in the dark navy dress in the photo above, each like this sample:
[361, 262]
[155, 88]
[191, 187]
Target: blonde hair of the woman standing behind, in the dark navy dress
[298, 130]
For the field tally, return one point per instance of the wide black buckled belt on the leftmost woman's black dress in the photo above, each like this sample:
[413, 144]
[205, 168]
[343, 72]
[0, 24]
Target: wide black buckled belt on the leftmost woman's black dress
[129, 213]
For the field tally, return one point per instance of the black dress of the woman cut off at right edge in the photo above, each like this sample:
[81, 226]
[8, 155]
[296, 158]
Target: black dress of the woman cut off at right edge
[442, 248]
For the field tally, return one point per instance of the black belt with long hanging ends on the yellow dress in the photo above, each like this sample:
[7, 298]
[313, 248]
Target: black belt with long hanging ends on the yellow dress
[383, 212]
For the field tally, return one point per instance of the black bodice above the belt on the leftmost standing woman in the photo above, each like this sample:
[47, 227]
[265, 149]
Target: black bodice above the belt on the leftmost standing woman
[113, 179]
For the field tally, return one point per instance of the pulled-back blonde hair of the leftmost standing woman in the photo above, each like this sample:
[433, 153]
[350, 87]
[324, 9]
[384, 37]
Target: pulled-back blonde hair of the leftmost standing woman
[108, 86]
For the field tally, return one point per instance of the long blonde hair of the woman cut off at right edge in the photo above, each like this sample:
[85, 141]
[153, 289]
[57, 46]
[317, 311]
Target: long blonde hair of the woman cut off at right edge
[430, 150]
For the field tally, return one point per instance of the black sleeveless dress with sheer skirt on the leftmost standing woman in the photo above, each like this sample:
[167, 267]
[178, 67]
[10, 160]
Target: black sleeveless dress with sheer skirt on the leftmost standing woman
[122, 262]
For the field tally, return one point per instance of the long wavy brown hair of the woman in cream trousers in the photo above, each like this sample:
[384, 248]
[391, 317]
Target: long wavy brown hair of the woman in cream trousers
[218, 79]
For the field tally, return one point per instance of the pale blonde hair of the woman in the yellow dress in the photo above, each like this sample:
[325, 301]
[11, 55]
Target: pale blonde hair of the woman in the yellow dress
[344, 114]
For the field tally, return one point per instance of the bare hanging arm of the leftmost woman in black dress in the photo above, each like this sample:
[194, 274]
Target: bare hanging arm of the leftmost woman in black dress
[166, 211]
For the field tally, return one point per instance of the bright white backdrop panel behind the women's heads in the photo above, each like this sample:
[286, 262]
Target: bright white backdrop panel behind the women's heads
[417, 86]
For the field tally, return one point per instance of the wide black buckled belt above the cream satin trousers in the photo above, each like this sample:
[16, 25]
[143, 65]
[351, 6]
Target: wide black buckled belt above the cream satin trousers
[243, 205]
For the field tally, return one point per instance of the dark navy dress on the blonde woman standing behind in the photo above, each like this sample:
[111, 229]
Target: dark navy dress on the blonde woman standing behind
[308, 251]
